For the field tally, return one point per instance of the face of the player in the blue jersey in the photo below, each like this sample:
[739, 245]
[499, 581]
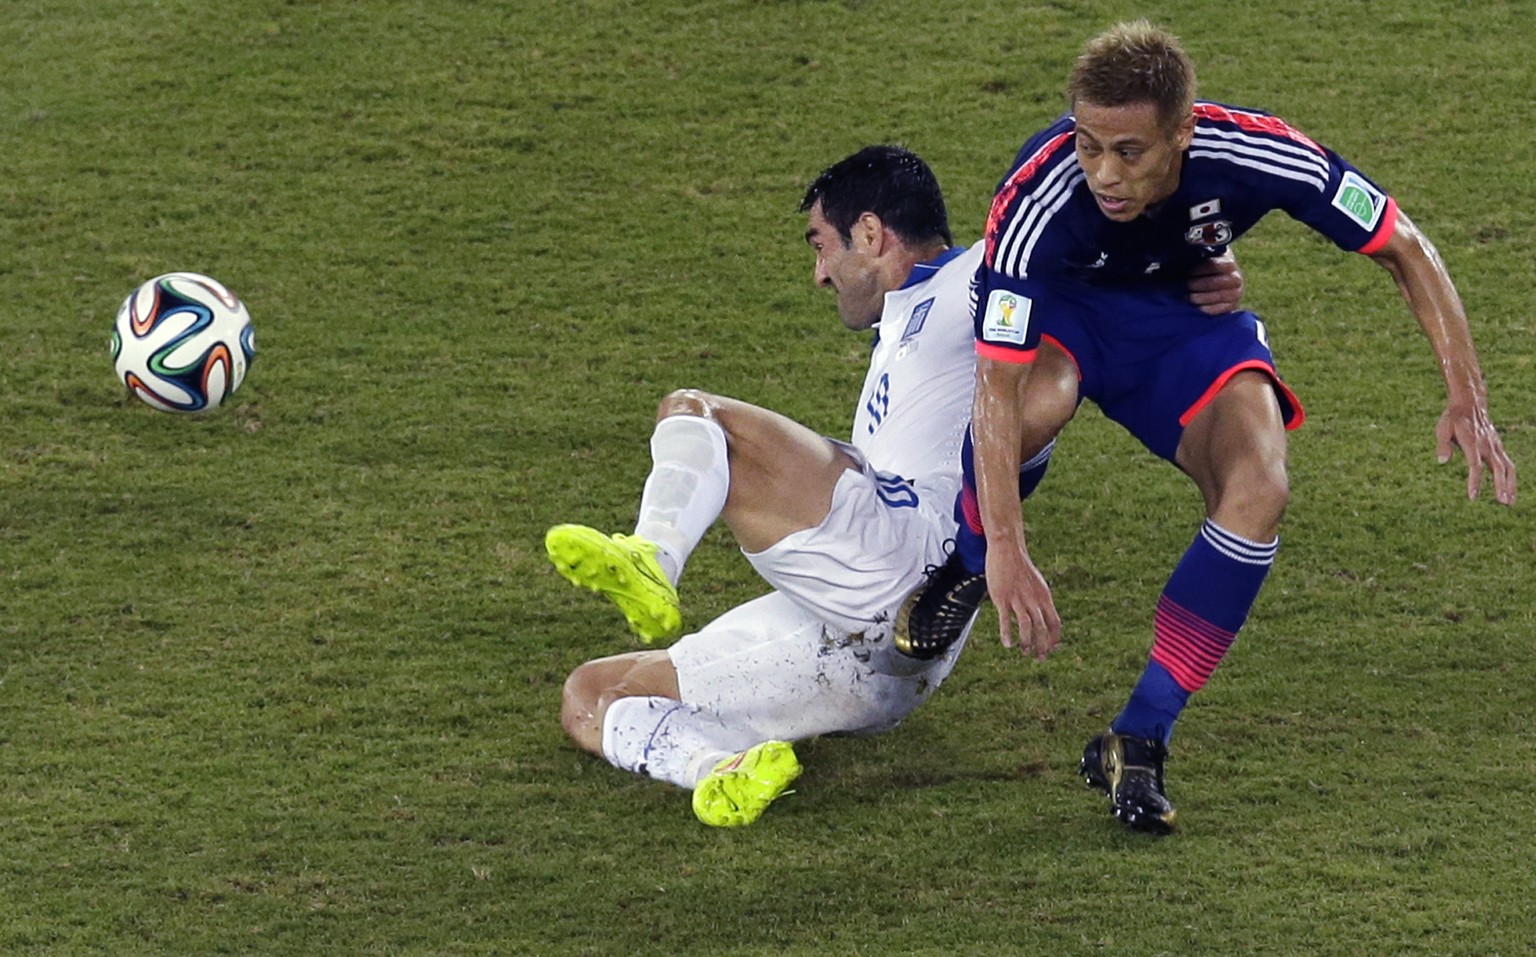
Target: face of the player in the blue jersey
[1131, 159]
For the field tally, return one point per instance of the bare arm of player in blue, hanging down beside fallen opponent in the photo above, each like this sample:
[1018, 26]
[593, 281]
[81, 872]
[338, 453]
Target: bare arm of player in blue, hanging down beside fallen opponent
[1015, 584]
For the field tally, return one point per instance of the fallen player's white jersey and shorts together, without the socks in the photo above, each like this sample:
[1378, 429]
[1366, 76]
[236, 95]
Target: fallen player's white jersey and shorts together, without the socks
[816, 657]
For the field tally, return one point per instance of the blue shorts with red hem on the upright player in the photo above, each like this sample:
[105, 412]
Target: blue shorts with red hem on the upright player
[1151, 360]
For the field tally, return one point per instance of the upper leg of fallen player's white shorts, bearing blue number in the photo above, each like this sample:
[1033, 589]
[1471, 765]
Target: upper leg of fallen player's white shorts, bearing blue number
[879, 538]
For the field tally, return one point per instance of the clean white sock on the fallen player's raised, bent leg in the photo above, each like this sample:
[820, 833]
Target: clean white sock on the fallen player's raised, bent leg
[686, 489]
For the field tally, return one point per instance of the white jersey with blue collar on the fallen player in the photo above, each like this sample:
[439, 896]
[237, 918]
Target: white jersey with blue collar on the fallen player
[916, 400]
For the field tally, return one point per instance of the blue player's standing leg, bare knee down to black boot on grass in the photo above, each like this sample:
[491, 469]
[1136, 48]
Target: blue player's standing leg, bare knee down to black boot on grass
[1236, 452]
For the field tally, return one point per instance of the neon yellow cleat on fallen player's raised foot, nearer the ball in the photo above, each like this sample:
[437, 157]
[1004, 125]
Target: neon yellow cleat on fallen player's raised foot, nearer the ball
[624, 569]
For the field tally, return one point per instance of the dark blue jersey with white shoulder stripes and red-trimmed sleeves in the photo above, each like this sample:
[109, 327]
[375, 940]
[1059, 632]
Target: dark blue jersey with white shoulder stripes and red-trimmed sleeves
[1047, 231]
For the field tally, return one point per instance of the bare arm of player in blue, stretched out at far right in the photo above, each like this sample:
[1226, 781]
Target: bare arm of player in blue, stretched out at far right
[1420, 273]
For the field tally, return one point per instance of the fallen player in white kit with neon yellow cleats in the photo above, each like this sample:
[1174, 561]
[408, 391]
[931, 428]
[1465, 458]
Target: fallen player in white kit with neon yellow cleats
[842, 531]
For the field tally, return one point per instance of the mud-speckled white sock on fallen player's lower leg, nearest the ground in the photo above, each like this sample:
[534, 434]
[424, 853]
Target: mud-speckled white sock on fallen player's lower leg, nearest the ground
[666, 740]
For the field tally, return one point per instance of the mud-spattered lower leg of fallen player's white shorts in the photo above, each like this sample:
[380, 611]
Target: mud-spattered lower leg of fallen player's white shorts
[775, 671]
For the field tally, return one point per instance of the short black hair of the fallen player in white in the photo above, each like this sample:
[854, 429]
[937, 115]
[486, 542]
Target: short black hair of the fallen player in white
[890, 182]
